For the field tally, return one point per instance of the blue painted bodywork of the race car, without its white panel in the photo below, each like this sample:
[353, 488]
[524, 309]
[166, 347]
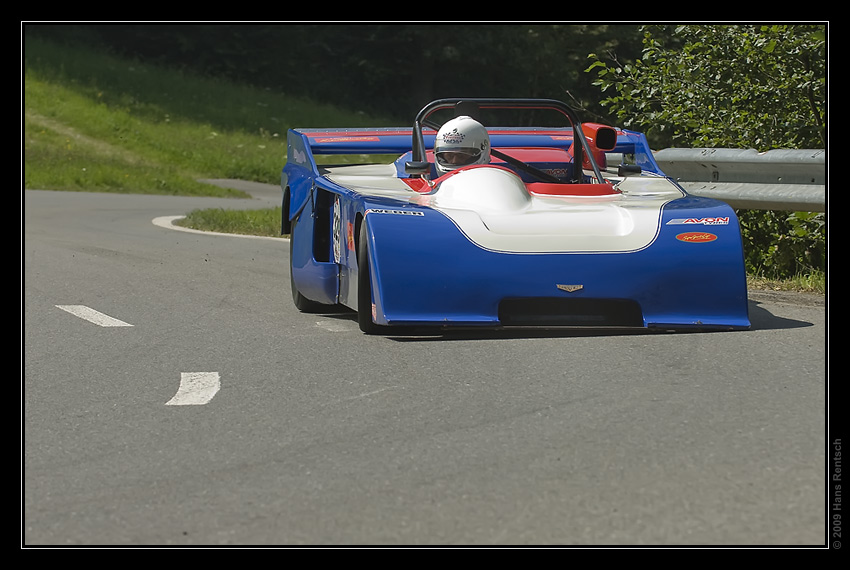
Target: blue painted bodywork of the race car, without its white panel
[425, 271]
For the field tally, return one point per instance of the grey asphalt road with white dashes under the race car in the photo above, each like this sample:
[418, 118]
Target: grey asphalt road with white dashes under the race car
[209, 411]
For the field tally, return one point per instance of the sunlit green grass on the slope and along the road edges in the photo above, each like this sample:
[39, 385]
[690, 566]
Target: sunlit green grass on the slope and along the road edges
[97, 123]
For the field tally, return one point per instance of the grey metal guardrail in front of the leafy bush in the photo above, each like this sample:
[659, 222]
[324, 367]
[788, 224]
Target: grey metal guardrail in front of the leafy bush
[790, 180]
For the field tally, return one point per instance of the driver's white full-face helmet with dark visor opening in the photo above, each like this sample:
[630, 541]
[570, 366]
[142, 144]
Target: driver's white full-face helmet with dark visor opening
[460, 142]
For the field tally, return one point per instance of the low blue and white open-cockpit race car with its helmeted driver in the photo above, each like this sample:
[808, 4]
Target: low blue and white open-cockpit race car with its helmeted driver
[506, 212]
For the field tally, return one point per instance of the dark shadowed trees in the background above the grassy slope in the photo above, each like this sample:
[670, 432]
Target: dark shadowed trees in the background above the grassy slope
[388, 69]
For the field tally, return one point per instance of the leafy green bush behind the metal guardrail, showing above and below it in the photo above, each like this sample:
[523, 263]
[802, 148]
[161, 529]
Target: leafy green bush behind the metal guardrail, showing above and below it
[732, 86]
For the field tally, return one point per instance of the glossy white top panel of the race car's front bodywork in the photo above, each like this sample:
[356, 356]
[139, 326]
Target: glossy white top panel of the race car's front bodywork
[493, 208]
